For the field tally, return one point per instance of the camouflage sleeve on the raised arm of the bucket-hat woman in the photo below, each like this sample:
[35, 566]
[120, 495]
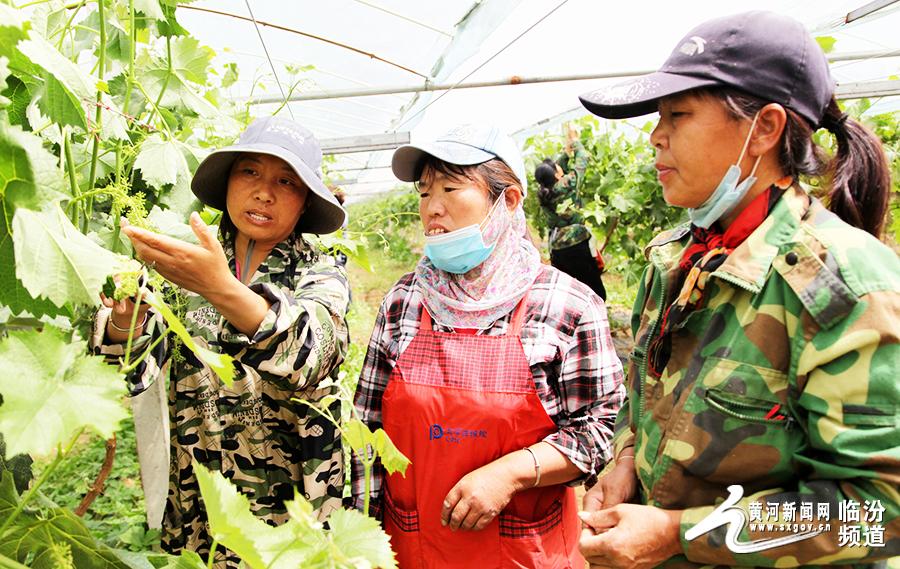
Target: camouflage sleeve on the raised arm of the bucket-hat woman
[304, 335]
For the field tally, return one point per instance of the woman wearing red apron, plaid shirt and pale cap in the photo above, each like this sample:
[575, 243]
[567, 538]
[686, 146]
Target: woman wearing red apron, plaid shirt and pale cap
[493, 373]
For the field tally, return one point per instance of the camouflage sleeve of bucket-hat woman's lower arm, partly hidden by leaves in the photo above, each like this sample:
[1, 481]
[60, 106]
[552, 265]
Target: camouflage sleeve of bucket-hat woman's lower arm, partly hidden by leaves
[152, 367]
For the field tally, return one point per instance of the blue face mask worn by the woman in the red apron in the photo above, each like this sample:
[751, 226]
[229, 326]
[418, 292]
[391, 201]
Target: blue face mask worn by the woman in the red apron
[461, 250]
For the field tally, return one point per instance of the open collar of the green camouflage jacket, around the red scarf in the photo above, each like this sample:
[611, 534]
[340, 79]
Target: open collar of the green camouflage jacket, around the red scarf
[749, 264]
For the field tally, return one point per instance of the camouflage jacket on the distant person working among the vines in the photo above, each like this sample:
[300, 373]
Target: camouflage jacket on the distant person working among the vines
[563, 209]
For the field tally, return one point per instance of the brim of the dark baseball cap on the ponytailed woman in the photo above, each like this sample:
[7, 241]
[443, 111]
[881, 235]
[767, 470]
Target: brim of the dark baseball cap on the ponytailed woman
[641, 95]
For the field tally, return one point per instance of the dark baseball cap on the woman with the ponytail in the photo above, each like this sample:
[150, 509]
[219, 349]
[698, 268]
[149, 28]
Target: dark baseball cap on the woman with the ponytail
[764, 54]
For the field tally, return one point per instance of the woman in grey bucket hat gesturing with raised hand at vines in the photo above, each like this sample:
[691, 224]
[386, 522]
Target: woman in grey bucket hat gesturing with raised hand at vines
[266, 297]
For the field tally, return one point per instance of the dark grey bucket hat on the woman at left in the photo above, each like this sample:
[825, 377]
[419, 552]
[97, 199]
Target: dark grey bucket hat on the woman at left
[283, 139]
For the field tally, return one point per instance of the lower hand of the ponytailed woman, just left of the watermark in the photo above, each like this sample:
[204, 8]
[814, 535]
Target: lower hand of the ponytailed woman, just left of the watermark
[629, 535]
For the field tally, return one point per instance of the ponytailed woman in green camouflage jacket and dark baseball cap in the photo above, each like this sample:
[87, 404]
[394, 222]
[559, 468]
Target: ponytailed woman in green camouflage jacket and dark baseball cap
[765, 364]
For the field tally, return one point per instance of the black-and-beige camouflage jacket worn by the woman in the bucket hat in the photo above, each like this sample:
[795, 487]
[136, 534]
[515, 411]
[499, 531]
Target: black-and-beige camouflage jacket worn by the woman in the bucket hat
[253, 432]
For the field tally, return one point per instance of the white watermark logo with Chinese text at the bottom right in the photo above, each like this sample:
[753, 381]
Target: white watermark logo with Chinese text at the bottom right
[800, 522]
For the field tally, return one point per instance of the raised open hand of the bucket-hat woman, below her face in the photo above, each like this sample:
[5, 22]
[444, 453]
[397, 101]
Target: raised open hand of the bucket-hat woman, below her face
[198, 268]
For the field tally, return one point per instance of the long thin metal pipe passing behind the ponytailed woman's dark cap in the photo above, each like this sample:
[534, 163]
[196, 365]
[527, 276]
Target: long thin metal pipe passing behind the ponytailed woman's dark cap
[514, 80]
